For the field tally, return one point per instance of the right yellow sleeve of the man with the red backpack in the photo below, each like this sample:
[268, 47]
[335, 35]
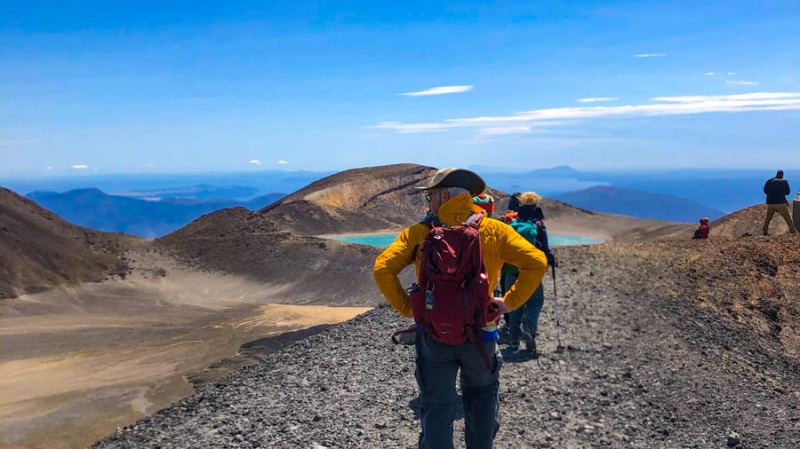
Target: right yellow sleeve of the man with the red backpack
[532, 264]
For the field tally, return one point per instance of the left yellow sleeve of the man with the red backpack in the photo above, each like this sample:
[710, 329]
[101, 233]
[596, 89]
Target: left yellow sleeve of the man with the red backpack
[388, 265]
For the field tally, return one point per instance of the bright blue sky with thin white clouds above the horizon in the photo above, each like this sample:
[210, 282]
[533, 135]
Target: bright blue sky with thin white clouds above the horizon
[179, 86]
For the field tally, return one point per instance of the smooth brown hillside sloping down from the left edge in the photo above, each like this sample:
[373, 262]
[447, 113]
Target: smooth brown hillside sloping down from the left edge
[39, 250]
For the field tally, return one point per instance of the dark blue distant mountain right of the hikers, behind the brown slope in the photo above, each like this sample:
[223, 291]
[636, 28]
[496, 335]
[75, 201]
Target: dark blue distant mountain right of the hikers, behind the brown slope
[636, 203]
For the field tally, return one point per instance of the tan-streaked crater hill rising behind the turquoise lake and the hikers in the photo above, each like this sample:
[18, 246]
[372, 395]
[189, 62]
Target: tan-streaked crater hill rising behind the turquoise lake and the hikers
[380, 198]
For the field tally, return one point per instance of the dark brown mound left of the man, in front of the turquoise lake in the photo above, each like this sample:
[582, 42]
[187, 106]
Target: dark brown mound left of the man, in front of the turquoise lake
[238, 241]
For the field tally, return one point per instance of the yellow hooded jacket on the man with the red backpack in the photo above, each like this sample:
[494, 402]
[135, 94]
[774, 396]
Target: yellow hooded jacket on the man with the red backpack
[499, 241]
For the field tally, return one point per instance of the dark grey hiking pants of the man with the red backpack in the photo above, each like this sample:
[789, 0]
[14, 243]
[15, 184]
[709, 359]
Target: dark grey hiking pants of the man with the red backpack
[437, 367]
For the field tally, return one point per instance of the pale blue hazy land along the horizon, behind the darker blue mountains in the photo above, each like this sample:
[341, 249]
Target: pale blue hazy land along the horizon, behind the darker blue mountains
[724, 190]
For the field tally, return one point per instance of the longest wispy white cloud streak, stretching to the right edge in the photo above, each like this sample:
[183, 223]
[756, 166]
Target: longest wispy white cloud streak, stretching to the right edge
[661, 106]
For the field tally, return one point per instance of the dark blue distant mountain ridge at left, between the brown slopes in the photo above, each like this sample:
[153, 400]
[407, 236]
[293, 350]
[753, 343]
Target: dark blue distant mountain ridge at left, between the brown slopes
[149, 219]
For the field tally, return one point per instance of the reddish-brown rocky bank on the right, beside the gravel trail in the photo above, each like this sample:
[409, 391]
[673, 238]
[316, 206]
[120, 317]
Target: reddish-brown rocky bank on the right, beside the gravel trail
[753, 280]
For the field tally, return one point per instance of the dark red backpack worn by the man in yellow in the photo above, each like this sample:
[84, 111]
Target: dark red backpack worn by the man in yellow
[451, 299]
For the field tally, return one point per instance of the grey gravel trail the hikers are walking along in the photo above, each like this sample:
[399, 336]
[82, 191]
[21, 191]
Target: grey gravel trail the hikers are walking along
[643, 366]
